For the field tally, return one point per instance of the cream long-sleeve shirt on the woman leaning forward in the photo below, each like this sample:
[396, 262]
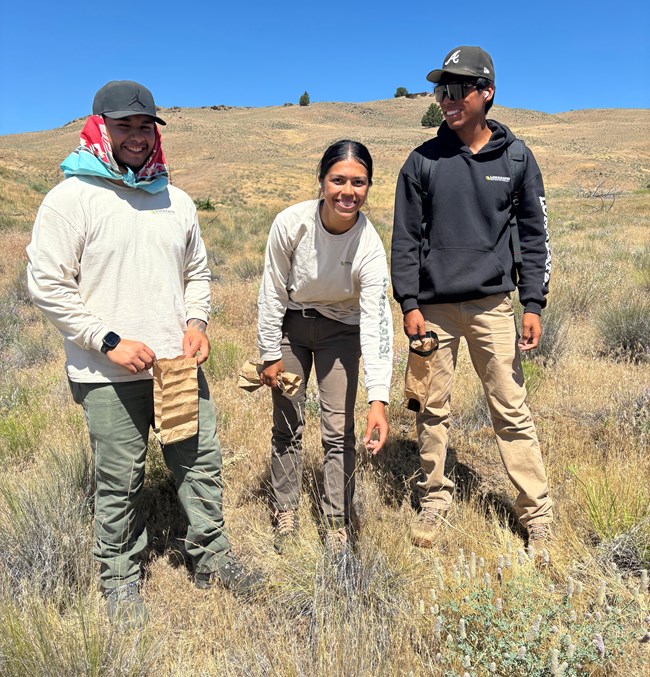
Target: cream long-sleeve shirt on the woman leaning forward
[343, 277]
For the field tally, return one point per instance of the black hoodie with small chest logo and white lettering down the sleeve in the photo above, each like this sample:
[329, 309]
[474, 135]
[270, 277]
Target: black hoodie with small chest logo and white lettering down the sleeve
[451, 239]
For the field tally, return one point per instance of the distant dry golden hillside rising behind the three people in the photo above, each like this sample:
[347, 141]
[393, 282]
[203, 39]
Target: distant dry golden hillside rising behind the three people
[259, 155]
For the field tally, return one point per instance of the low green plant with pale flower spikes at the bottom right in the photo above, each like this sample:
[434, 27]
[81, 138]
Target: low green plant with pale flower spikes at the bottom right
[512, 627]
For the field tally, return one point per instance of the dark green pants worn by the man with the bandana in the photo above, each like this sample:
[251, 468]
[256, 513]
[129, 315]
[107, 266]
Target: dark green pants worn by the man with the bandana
[119, 416]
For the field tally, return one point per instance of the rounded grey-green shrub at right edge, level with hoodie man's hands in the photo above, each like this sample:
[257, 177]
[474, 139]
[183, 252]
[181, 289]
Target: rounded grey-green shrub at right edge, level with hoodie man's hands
[625, 330]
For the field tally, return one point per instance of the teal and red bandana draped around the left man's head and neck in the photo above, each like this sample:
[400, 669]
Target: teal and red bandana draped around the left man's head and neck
[94, 157]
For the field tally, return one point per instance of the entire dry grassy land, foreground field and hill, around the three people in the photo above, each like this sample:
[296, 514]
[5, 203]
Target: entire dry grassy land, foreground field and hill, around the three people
[475, 604]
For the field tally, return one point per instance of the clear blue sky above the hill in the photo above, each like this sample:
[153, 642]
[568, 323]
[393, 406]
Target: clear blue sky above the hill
[551, 56]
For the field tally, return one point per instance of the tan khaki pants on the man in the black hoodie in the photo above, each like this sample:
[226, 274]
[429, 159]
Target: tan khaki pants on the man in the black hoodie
[489, 328]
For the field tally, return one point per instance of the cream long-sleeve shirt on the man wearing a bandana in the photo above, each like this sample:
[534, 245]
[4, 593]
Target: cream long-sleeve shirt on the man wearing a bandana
[105, 257]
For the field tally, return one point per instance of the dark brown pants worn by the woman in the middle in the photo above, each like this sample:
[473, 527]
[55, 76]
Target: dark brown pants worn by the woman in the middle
[334, 349]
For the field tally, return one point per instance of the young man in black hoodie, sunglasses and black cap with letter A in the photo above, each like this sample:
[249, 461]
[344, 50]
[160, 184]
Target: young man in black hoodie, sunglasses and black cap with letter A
[453, 270]
